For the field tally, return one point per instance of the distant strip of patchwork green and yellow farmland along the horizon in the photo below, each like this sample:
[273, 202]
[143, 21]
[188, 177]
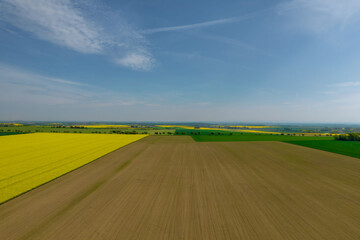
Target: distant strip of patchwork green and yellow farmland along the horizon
[170, 129]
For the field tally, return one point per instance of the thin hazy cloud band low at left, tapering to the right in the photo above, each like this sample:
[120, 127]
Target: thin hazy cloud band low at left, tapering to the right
[24, 87]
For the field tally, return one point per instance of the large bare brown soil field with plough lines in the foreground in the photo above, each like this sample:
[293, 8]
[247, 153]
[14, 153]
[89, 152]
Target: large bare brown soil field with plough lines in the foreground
[175, 188]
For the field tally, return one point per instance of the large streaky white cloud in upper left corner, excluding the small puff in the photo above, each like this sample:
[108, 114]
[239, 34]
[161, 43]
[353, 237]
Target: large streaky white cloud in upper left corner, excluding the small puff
[55, 21]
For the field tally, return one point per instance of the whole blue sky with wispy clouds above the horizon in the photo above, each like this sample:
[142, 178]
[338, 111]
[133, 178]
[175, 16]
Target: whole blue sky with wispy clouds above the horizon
[165, 60]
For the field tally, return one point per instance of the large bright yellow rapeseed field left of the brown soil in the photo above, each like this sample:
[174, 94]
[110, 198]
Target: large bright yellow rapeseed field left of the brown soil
[29, 160]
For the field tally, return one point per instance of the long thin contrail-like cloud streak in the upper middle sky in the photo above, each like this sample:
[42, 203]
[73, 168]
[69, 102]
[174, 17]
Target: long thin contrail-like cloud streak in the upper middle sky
[203, 24]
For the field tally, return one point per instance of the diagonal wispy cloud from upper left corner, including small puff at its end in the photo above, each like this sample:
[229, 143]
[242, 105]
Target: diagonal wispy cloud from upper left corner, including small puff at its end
[63, 23]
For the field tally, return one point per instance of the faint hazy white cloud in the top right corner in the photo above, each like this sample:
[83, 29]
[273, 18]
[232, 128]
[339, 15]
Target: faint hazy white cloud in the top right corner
[320, 16]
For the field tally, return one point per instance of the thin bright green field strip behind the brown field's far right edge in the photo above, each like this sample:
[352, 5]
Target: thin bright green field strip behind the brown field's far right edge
[256, 137]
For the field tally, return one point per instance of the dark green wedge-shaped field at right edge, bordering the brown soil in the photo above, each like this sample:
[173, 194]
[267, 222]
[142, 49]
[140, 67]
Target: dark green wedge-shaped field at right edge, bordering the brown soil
[341, 147]
